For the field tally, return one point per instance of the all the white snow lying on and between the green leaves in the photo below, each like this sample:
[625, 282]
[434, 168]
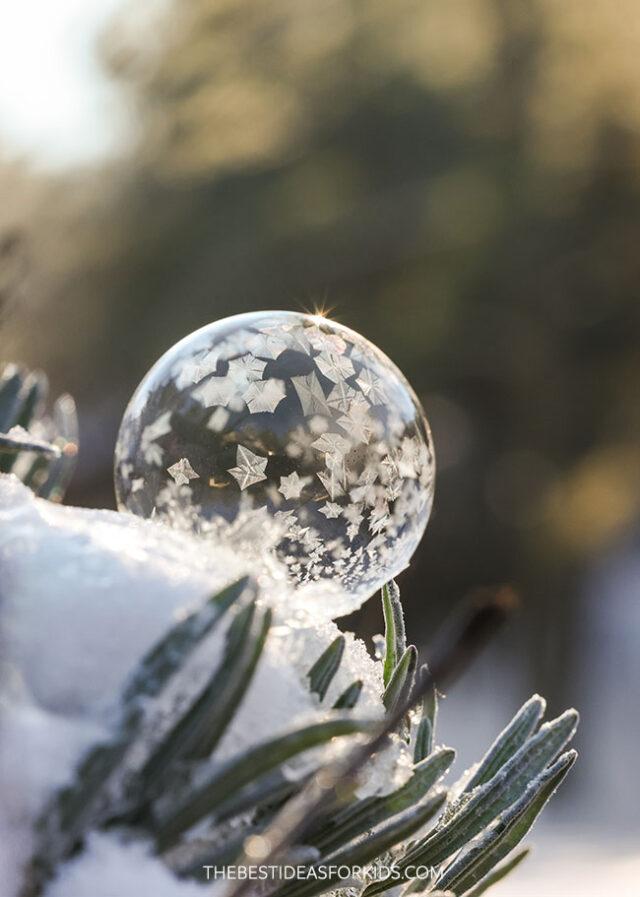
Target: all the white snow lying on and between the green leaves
[83, 594]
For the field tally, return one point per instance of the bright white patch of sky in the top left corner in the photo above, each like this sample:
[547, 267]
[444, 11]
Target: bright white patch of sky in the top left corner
[57, 106]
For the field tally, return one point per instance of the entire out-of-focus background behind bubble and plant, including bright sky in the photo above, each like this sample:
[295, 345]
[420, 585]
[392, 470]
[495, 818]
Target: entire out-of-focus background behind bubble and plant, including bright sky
[459, 181]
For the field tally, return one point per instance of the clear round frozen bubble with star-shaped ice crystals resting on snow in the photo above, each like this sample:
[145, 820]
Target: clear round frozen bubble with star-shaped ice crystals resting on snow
[290, 428]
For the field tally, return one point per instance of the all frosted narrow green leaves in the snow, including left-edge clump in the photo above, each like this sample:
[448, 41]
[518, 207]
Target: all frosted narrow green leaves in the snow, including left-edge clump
[475, 840]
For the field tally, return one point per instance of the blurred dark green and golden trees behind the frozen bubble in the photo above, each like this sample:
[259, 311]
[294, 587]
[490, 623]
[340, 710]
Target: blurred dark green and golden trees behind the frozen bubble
[457, 180]
